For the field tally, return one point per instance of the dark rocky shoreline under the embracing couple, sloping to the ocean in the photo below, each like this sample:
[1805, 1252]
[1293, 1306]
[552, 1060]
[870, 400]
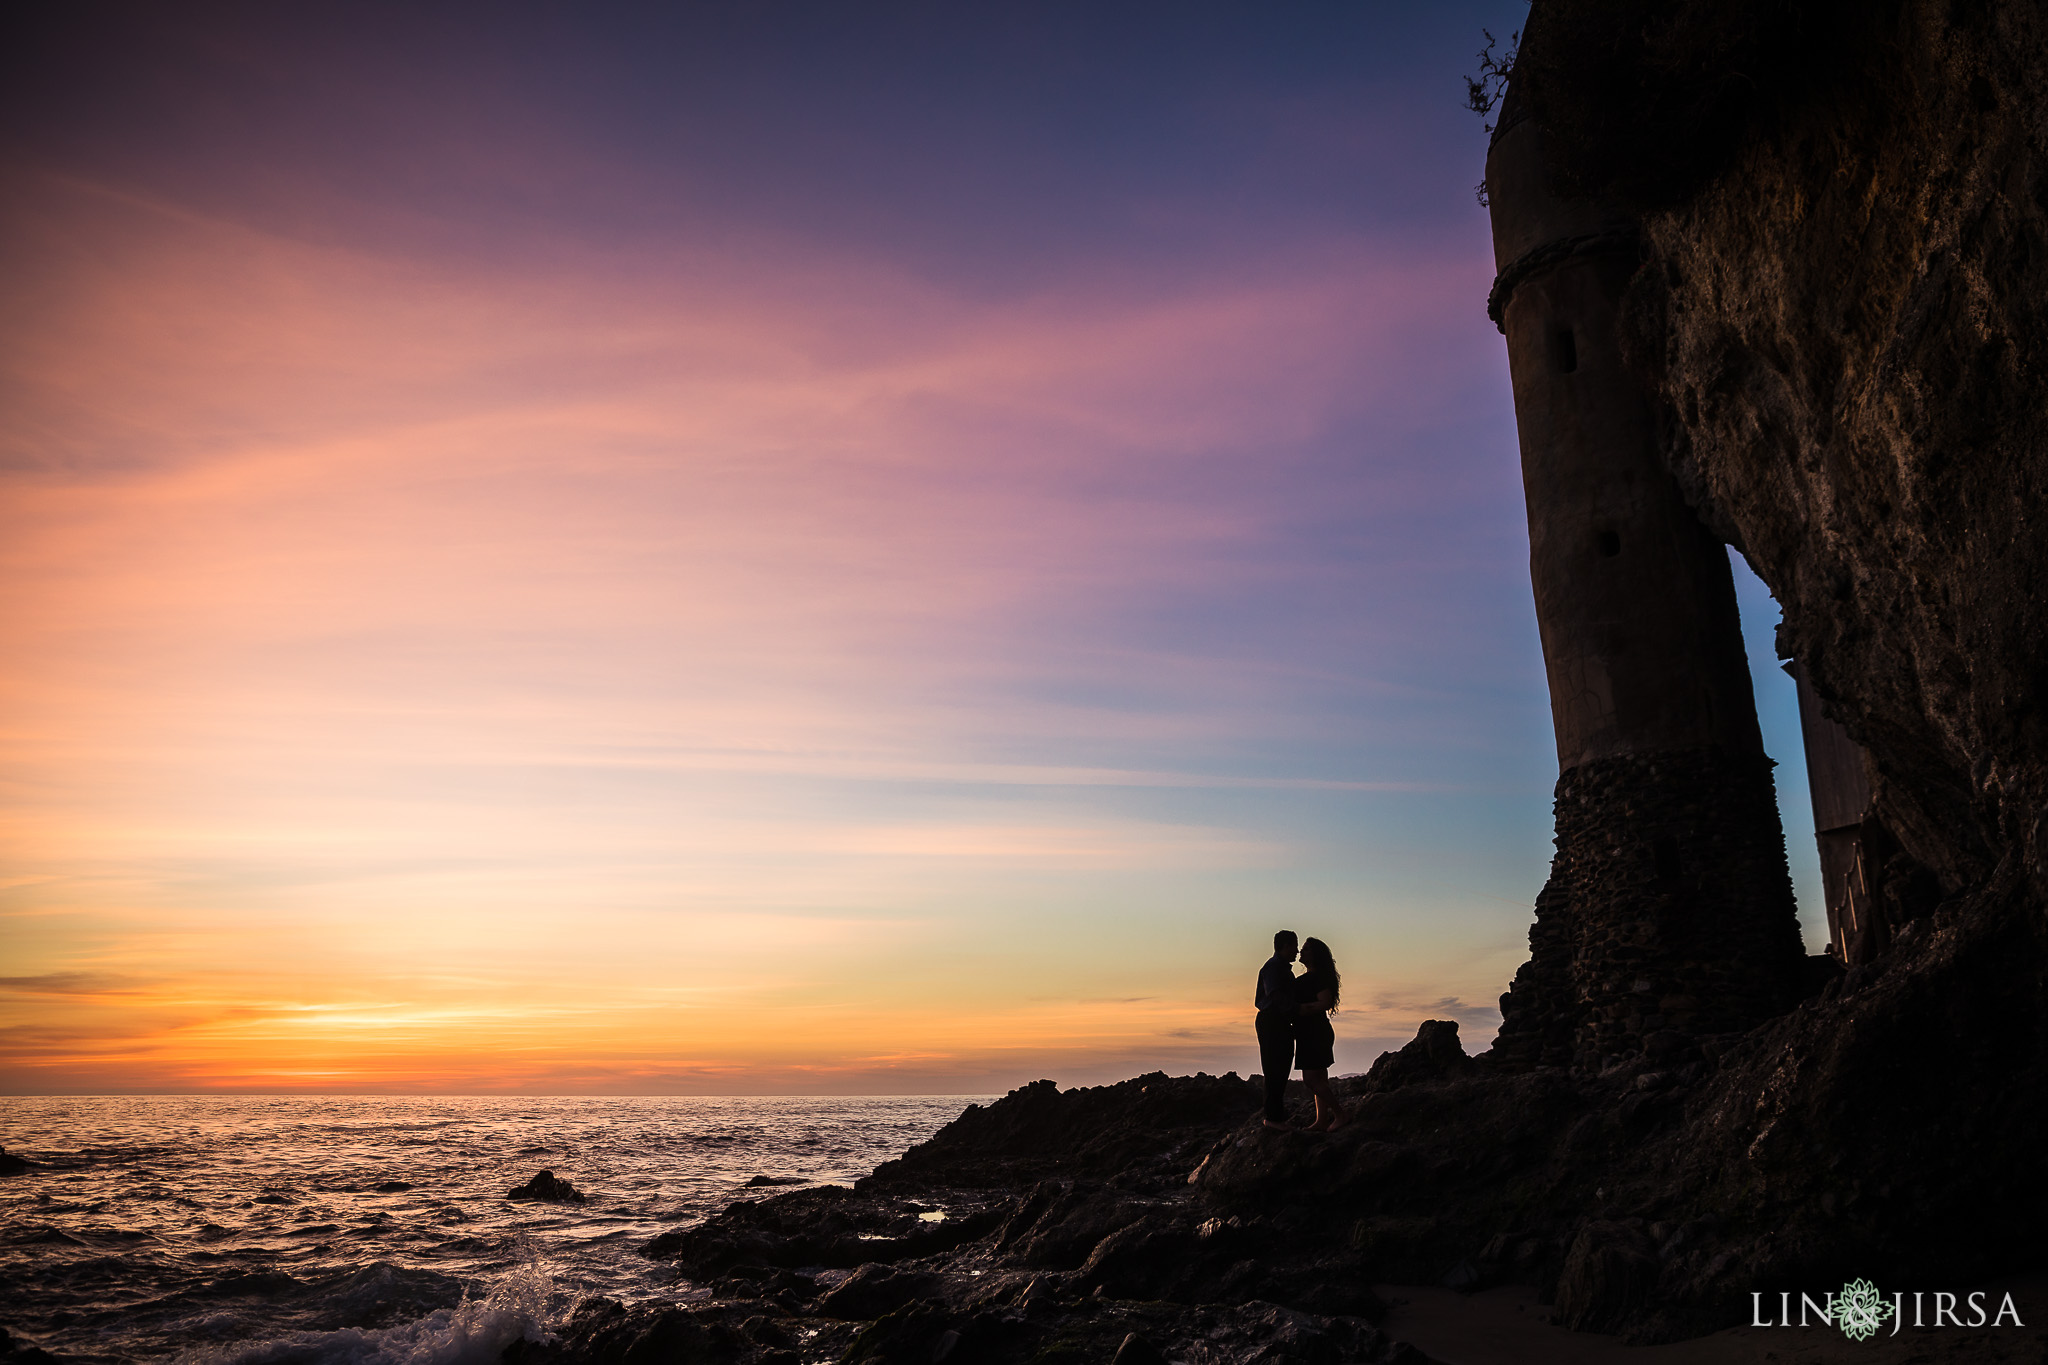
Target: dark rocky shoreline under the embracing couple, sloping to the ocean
[1158, 1219]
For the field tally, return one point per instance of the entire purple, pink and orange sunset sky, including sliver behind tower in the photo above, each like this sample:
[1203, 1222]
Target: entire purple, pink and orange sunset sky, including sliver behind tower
[755, 547]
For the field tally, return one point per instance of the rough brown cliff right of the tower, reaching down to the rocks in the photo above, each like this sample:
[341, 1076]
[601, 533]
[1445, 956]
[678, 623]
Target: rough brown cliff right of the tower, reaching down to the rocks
[1842, 316]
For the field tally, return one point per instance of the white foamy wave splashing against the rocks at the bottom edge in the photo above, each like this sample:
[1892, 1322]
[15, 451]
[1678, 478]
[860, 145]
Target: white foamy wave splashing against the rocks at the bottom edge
[470, 1333]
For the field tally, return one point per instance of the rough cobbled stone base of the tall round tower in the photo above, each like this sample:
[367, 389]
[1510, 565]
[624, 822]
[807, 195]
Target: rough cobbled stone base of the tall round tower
[1668, 914]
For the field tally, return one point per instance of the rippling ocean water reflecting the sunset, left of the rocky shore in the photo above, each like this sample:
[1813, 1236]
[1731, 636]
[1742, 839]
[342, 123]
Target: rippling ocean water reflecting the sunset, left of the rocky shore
[376, 1231]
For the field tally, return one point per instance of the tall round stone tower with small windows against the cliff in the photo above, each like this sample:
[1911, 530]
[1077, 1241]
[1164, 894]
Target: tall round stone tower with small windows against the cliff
[1670, 912]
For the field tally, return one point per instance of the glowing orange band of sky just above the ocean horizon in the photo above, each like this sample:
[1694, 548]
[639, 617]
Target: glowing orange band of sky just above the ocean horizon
[189, 1041]
